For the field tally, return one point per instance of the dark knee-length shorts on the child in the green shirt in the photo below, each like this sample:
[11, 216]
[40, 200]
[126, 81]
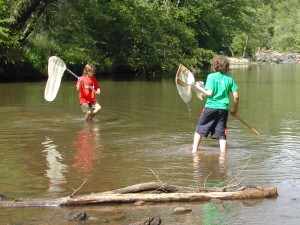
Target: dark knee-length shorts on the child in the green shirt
[213, 122]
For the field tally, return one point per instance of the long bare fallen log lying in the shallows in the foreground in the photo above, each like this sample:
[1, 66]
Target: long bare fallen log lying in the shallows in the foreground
[127, 197]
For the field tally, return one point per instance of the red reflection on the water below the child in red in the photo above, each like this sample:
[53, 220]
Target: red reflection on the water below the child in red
[86, 144]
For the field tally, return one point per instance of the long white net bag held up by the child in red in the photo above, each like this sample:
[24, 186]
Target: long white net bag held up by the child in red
[56, 69]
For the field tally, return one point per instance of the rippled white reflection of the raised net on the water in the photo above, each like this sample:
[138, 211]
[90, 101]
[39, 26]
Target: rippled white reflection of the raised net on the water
[56, 169]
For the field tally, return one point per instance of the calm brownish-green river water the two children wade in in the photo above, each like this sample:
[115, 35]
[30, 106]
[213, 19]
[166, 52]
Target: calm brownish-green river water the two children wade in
[144, 133]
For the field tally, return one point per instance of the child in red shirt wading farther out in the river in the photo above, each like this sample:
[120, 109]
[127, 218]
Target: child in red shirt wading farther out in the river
[88, 86]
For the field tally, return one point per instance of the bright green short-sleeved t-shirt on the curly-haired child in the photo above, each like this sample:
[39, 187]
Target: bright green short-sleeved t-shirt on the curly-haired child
[221, 85]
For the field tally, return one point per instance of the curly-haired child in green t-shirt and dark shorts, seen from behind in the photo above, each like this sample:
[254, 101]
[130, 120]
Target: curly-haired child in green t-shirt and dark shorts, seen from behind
[213, 119]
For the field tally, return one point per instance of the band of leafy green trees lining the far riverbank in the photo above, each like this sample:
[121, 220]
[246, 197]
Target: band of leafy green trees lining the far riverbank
[142, 36]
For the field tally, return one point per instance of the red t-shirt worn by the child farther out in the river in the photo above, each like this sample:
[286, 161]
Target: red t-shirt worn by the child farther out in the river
[88, 88]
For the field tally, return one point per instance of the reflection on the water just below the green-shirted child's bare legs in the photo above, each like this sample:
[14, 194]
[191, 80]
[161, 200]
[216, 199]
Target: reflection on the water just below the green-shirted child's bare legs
[209, 168]
